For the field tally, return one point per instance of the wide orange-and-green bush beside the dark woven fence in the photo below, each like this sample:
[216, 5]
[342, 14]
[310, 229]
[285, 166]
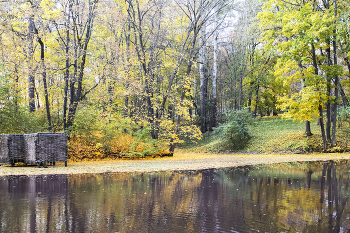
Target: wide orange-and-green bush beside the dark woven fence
[96, 135]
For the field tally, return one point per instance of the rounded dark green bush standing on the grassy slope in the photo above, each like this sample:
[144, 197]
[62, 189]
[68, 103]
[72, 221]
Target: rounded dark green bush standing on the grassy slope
[234, 133]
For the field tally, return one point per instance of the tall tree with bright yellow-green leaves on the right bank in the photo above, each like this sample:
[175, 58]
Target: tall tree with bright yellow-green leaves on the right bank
[308, 27]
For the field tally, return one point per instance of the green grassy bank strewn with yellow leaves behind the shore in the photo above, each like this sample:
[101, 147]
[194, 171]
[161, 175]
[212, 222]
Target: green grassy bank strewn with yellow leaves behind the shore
[275, 135]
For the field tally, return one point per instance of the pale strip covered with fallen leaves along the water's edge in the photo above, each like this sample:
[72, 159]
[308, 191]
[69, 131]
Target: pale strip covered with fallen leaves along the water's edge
[180, 161]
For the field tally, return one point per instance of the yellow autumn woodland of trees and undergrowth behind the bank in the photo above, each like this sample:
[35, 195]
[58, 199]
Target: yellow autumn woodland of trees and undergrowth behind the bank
[159, 72]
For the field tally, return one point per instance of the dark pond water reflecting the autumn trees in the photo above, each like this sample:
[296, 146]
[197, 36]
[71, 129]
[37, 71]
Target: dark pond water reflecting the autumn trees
[293, 197]
